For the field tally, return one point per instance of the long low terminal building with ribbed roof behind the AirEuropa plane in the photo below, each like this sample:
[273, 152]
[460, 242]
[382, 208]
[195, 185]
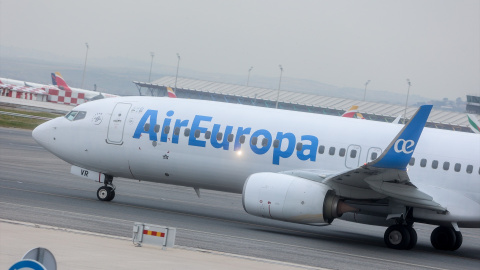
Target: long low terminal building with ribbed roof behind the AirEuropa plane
[289, 100]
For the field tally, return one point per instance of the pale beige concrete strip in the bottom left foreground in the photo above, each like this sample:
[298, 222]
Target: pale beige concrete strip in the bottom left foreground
[85, 250]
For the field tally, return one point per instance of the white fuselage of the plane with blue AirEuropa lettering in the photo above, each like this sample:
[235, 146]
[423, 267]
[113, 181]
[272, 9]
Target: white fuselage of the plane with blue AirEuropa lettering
[112, 139]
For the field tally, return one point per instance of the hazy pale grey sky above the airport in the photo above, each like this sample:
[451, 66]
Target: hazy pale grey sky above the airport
[434, 43]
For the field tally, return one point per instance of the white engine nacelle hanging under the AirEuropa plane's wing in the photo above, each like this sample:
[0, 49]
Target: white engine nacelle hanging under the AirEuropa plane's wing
[290, 198]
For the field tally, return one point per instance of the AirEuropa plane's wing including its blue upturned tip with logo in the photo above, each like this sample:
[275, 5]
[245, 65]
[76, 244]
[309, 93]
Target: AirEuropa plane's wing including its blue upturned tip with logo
[385, 177]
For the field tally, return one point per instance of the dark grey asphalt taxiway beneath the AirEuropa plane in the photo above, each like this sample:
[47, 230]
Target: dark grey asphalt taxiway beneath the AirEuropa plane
[37, 187]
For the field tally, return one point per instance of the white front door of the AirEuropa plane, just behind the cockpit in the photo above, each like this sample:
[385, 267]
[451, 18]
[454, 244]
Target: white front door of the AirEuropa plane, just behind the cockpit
[117, 123]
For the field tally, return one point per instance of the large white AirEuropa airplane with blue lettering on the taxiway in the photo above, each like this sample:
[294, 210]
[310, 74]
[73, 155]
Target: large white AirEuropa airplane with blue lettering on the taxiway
[288, 165]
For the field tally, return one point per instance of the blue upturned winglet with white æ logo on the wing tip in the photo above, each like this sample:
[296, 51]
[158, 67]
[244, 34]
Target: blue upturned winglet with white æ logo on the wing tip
[400, 150]
